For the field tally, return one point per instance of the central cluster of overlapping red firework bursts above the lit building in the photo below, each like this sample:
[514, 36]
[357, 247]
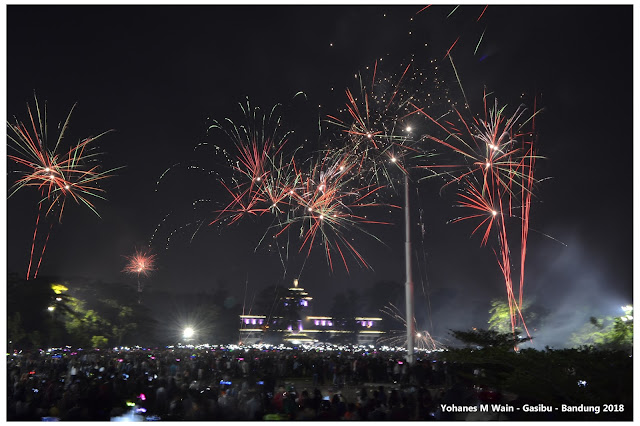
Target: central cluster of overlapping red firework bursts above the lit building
[323, 200]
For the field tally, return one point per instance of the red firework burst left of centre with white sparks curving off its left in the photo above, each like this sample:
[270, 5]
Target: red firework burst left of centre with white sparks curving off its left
[256, 174]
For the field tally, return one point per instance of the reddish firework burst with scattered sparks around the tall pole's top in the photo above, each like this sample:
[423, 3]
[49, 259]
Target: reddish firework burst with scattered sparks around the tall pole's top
[374, 127]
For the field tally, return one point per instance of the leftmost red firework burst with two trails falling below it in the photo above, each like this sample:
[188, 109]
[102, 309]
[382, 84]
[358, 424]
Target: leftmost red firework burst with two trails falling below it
[55, 176]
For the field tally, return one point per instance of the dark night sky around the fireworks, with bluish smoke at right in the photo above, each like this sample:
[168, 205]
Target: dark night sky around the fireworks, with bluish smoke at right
[159, 74]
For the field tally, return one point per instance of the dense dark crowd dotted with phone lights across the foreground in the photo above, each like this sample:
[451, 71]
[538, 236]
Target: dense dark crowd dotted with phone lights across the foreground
[223, 384]
